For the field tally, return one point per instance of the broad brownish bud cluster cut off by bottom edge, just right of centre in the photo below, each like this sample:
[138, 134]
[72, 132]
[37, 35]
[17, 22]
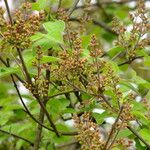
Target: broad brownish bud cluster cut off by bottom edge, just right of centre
[89, 134]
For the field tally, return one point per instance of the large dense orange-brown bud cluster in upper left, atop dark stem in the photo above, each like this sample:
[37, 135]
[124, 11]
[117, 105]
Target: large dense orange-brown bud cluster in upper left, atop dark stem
[18, 34]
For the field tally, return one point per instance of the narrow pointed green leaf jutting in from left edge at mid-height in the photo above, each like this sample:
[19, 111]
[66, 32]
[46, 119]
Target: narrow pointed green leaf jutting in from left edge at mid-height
[7, 71]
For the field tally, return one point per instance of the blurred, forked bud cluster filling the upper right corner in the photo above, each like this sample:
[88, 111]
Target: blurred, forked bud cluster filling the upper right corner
[140, 27]
